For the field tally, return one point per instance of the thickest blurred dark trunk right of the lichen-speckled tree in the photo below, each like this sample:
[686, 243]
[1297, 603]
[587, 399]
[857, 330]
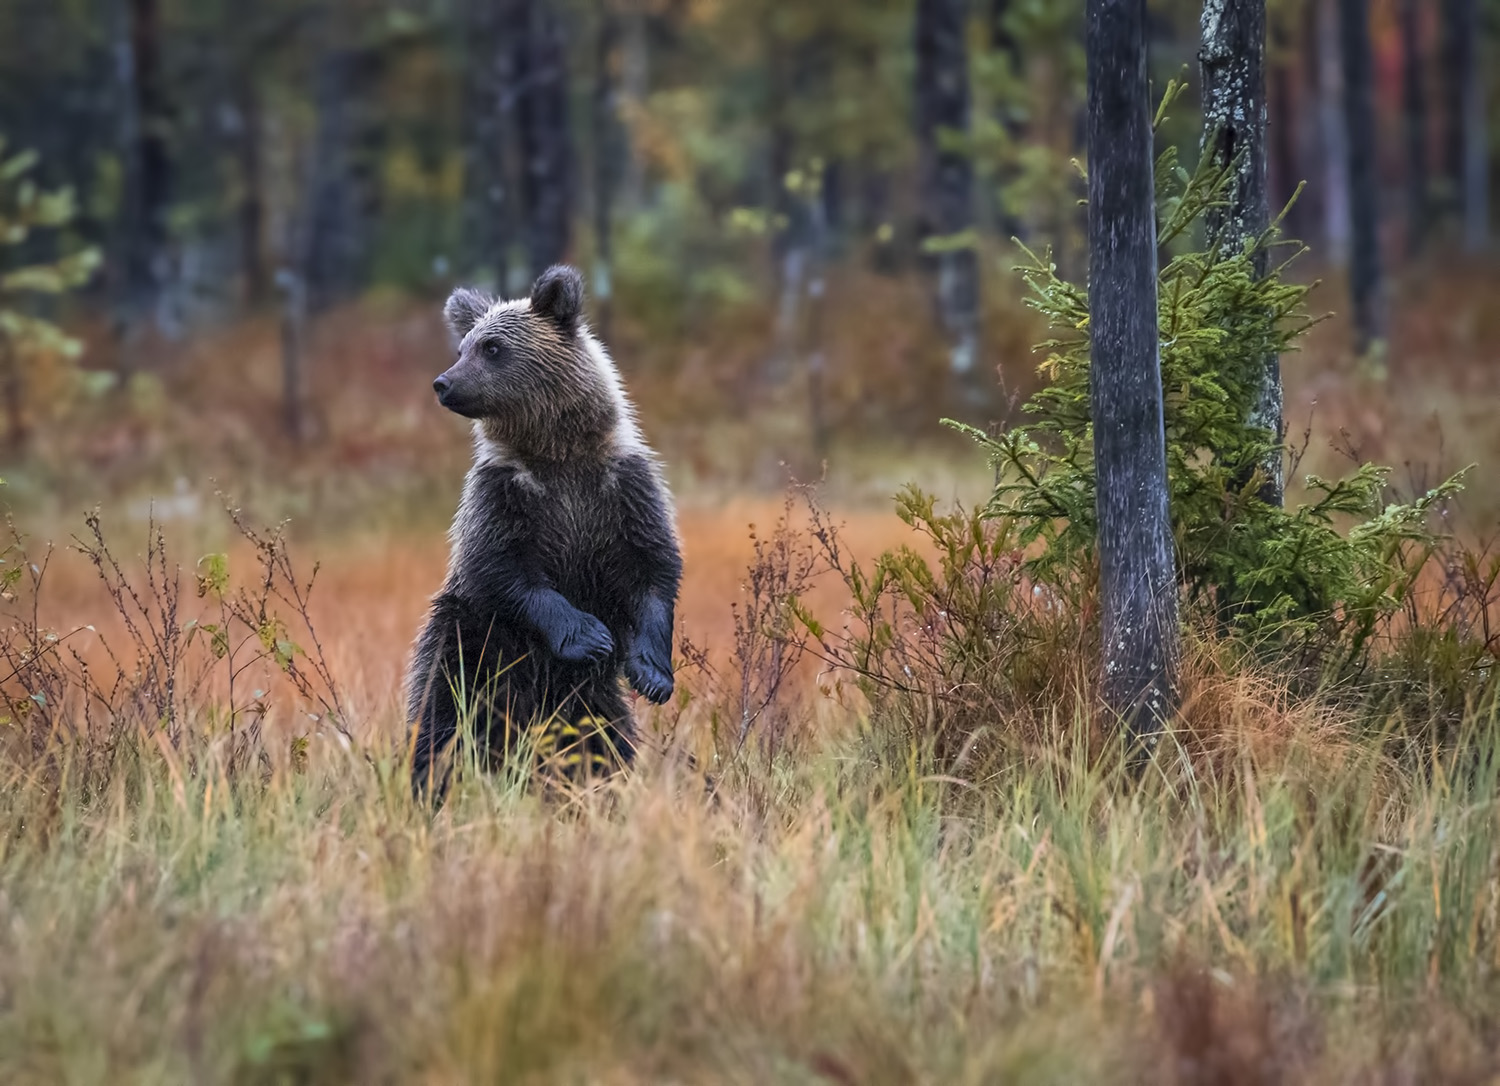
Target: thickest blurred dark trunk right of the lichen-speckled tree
[1360, 119]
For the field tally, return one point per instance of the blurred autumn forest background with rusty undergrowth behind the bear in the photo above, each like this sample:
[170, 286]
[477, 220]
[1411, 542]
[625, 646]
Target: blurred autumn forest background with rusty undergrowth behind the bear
[797, 224]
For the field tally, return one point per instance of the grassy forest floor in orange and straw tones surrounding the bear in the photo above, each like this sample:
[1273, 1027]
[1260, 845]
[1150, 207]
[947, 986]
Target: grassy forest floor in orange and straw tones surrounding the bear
[242, 892]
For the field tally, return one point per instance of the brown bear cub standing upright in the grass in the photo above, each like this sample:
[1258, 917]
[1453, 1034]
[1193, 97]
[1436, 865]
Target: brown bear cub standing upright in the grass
[565, 560]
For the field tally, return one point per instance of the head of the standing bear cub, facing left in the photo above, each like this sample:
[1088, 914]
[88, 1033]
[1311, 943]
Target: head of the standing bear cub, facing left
[529, 371]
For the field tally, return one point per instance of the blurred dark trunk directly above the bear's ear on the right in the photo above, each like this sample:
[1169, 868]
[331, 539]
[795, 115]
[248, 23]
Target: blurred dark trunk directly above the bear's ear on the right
[547, 148]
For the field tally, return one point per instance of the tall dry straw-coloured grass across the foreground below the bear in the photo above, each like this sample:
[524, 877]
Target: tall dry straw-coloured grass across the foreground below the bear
[1277, 901]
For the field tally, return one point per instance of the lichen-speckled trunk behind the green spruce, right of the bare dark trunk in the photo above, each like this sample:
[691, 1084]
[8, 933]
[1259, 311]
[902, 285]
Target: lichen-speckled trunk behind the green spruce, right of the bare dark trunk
[1234, 59]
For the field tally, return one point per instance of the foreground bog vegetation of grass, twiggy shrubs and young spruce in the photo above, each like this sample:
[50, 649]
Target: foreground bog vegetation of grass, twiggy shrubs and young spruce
[887, 839]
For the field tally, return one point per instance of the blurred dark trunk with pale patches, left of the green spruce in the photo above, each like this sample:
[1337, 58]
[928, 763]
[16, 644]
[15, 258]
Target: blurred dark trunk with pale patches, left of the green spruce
[947, 218]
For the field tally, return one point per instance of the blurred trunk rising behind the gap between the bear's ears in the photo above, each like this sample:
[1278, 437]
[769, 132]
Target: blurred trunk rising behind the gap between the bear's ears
[488, 122]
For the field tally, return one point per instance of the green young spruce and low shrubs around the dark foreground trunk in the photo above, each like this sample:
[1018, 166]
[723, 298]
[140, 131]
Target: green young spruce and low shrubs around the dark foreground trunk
[979, 631]
